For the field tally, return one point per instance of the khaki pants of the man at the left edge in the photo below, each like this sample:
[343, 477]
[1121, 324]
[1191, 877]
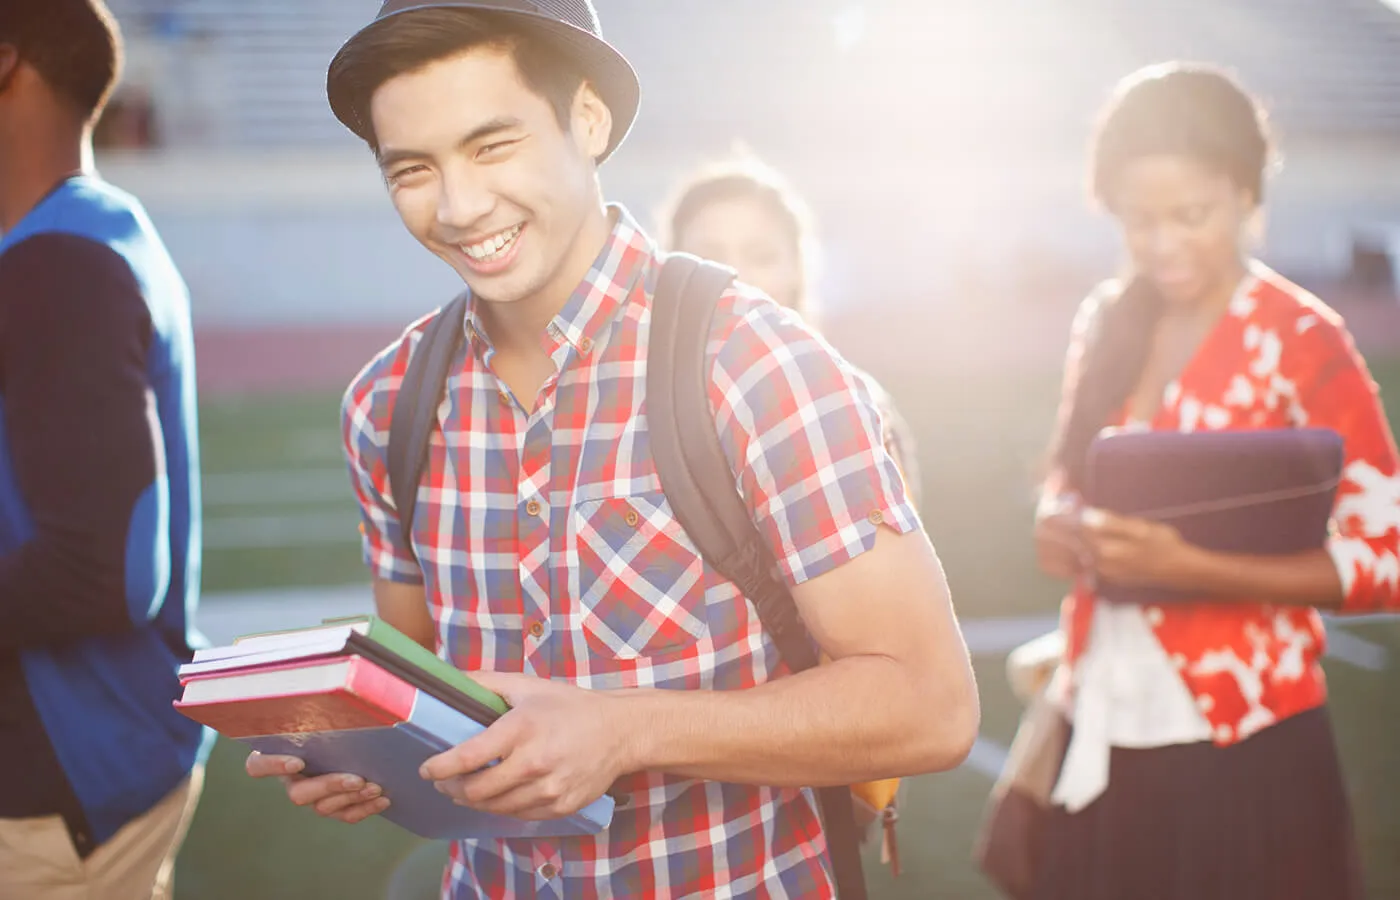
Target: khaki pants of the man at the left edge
[38, 860]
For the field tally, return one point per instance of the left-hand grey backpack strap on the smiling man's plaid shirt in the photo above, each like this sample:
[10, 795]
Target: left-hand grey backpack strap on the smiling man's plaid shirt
[415, 409]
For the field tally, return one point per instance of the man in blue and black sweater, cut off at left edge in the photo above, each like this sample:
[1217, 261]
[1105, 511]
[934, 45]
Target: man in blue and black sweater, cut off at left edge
[99, 488]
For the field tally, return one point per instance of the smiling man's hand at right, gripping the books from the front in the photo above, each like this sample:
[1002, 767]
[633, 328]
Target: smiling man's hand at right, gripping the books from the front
[561, 748]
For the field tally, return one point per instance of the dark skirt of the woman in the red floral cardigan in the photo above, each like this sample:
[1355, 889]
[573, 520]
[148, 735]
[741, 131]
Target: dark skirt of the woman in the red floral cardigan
[1263, 820]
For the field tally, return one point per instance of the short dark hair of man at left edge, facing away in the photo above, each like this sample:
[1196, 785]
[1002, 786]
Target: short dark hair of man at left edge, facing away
[75, 45]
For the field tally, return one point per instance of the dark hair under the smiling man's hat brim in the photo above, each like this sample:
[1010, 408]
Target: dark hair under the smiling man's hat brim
[411, 41]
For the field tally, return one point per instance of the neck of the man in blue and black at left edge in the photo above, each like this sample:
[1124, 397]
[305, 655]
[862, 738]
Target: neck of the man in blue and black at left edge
[38, 163]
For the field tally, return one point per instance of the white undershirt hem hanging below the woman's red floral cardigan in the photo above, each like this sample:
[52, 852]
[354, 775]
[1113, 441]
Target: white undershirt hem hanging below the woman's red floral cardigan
[1126, 695]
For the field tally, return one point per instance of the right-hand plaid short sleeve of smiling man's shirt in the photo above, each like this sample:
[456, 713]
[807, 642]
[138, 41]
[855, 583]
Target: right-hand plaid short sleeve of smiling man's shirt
[803, 433]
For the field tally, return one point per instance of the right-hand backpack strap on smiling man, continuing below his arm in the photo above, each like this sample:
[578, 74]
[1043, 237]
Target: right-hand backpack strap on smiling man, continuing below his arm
[701, 488]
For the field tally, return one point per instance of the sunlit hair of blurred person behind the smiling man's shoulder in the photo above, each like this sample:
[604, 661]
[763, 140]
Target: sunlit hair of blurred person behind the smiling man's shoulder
[740, 178]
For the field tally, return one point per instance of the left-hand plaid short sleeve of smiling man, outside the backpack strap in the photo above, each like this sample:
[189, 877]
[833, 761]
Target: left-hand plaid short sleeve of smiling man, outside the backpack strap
[365, 419]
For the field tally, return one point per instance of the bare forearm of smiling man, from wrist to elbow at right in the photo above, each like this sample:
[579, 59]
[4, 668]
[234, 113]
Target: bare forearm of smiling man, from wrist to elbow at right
[855, 720]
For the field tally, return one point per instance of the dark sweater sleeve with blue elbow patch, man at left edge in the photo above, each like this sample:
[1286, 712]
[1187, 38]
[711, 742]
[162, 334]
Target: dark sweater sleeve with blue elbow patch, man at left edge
[85, 442]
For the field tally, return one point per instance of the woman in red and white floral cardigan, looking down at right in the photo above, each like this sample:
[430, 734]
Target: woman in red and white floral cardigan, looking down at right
[1202, 761]
